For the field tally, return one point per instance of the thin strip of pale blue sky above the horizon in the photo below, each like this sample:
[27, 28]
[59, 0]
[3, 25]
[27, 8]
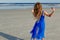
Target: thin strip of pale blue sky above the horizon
[29, 1]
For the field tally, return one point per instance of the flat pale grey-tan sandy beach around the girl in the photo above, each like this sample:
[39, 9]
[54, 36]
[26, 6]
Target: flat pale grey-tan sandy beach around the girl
[16, 24]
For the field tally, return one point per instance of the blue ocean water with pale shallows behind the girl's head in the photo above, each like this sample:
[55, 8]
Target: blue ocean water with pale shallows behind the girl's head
[26, 5]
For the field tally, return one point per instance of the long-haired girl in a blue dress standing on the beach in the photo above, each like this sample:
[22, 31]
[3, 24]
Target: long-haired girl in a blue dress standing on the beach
[39, 27]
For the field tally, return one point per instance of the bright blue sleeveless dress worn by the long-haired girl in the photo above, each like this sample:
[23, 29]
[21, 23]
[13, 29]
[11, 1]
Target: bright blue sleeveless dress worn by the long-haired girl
[39, 28]
